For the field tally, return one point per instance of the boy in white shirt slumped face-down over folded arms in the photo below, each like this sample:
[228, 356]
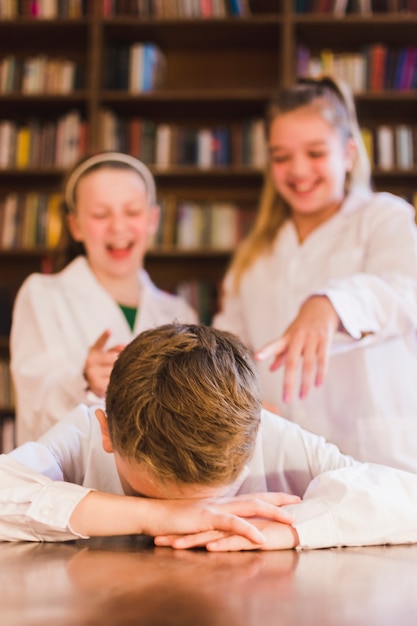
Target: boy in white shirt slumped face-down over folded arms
[184, 421]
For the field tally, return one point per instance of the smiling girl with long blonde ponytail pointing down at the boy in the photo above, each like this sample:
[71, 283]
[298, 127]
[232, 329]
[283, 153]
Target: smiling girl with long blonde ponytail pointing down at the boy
[324, 289]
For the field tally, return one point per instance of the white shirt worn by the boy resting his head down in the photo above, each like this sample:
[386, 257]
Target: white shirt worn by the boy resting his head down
[345, 503]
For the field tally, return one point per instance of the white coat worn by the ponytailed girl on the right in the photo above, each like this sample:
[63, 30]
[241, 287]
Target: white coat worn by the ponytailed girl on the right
[365, 259]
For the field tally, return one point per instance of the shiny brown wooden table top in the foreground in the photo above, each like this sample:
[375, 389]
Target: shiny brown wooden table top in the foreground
[126, 581]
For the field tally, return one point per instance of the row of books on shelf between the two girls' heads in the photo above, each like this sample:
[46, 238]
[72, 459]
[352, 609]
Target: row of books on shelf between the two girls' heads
[239, 143]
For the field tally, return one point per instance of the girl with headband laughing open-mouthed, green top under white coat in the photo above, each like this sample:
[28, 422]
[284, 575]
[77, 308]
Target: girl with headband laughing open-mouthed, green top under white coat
[69, 327]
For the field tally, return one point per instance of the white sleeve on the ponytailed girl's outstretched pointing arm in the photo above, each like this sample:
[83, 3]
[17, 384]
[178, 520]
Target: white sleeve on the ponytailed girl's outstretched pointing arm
[382, 299]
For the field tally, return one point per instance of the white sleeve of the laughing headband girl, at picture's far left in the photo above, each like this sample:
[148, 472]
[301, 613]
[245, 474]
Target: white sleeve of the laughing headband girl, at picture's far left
[47, 382]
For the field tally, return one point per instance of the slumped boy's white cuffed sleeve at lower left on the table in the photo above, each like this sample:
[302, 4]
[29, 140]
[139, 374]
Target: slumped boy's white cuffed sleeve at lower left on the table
[33, 507]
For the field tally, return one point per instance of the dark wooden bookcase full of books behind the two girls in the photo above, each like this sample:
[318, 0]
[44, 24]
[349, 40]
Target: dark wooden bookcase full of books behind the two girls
[183, 85]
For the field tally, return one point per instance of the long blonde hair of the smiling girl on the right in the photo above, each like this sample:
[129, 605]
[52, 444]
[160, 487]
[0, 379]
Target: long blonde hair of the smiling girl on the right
[335, 101]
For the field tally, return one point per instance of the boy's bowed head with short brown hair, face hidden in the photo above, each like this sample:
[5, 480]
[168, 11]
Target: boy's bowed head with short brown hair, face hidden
[183, 405]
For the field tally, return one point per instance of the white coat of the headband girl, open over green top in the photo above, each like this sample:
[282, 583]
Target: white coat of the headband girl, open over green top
[56, 319]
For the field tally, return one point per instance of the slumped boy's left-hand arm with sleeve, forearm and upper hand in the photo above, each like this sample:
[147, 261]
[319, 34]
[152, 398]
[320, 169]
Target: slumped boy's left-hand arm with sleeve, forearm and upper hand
[35, 508]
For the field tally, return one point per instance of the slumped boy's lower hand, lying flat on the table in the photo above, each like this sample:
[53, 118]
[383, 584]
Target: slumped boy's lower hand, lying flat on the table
[278, 536]
